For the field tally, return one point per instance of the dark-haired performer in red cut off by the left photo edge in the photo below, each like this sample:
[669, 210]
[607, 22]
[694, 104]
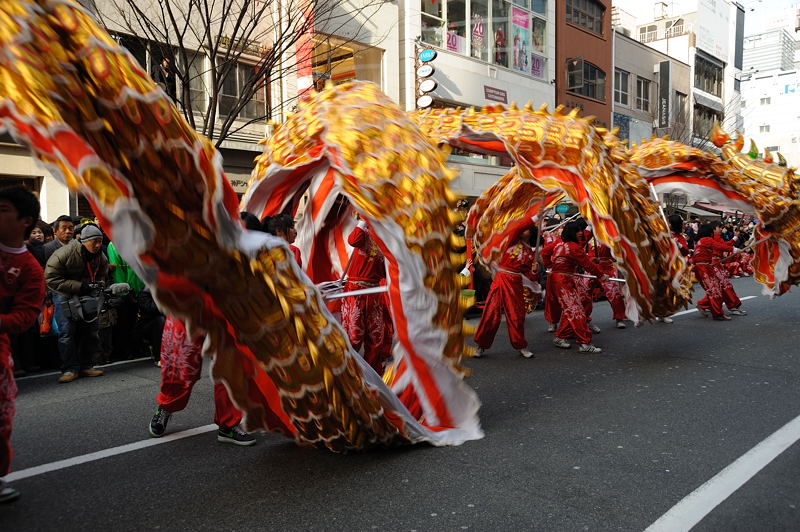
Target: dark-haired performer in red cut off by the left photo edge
[21, 298]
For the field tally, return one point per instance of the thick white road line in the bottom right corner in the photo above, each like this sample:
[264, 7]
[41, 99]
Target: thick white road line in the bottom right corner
[698, 504]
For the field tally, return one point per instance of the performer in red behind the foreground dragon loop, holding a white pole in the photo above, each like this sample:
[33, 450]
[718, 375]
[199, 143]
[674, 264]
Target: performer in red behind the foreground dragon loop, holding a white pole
[366, 318]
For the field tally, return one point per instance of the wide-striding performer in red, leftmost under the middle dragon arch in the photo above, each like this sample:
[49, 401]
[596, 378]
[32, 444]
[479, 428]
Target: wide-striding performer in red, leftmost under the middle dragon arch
[505, 297]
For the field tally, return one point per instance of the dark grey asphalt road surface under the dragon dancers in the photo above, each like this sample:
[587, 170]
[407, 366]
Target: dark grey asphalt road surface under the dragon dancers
[573, 442]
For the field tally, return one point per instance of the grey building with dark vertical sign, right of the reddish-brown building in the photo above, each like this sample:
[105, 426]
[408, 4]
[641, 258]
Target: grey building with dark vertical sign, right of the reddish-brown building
[651, 92]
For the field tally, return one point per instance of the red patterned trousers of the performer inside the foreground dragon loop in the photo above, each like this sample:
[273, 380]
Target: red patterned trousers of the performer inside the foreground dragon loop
[367, 322]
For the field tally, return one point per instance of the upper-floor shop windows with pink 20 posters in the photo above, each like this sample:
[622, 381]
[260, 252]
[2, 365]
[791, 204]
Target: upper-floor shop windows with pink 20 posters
[508, 33]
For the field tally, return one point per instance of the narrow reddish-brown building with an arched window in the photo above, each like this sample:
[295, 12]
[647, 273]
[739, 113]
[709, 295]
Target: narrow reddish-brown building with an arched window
[584, 72]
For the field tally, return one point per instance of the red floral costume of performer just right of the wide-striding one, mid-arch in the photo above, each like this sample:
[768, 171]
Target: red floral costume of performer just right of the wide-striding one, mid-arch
[567, 258]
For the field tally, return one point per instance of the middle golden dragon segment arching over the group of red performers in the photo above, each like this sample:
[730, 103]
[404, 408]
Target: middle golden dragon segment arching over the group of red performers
[566, 154]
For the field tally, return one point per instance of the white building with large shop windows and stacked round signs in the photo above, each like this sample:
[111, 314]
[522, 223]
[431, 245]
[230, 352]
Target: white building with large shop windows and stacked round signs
[487, 52]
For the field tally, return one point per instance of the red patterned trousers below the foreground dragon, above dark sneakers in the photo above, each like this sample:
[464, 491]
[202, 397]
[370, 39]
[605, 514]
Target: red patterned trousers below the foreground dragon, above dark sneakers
[181, 365]
